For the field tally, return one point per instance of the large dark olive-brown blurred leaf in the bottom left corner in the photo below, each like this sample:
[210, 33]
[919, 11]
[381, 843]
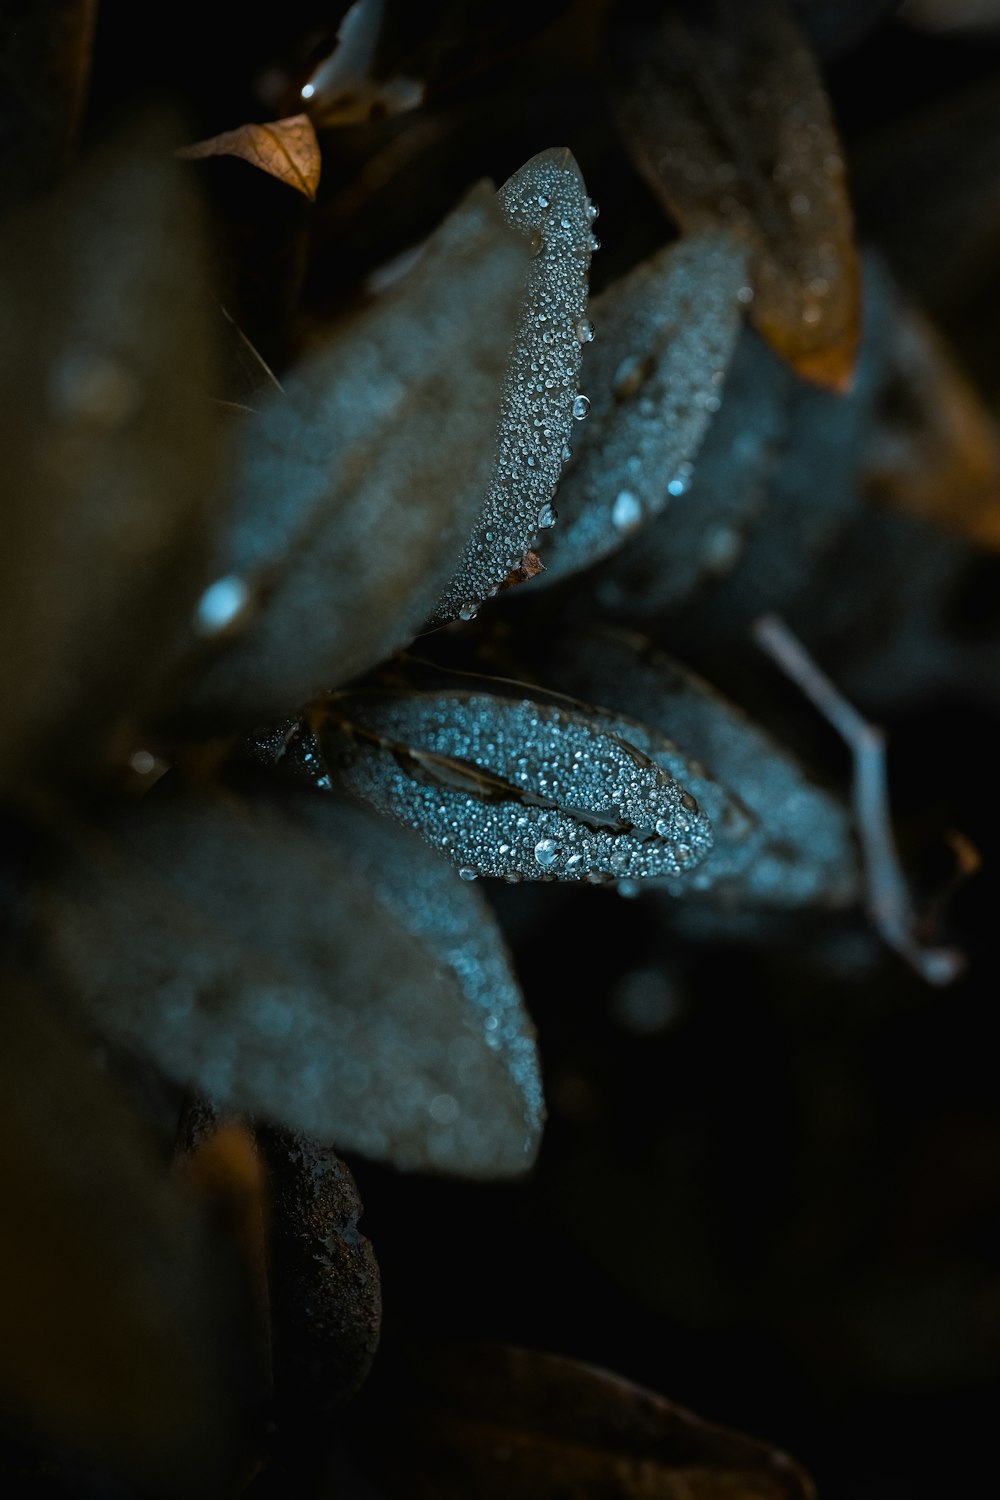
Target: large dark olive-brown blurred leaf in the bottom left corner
[118, 1330]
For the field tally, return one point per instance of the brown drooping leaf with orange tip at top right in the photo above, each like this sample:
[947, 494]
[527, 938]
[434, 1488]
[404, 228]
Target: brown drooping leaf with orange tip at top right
[723, 110]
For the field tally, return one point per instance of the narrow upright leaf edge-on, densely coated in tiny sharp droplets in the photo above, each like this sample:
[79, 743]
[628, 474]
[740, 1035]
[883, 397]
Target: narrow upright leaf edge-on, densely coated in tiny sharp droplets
[548, 202]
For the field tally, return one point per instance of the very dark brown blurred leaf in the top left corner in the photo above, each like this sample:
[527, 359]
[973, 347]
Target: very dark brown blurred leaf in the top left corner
[44, 65]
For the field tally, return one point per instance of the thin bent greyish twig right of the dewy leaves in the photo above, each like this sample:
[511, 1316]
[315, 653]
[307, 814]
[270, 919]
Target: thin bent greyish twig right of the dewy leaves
[888, 896]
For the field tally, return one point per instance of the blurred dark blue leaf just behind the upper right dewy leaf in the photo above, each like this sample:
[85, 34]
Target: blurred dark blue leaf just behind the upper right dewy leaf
[702, 536]
